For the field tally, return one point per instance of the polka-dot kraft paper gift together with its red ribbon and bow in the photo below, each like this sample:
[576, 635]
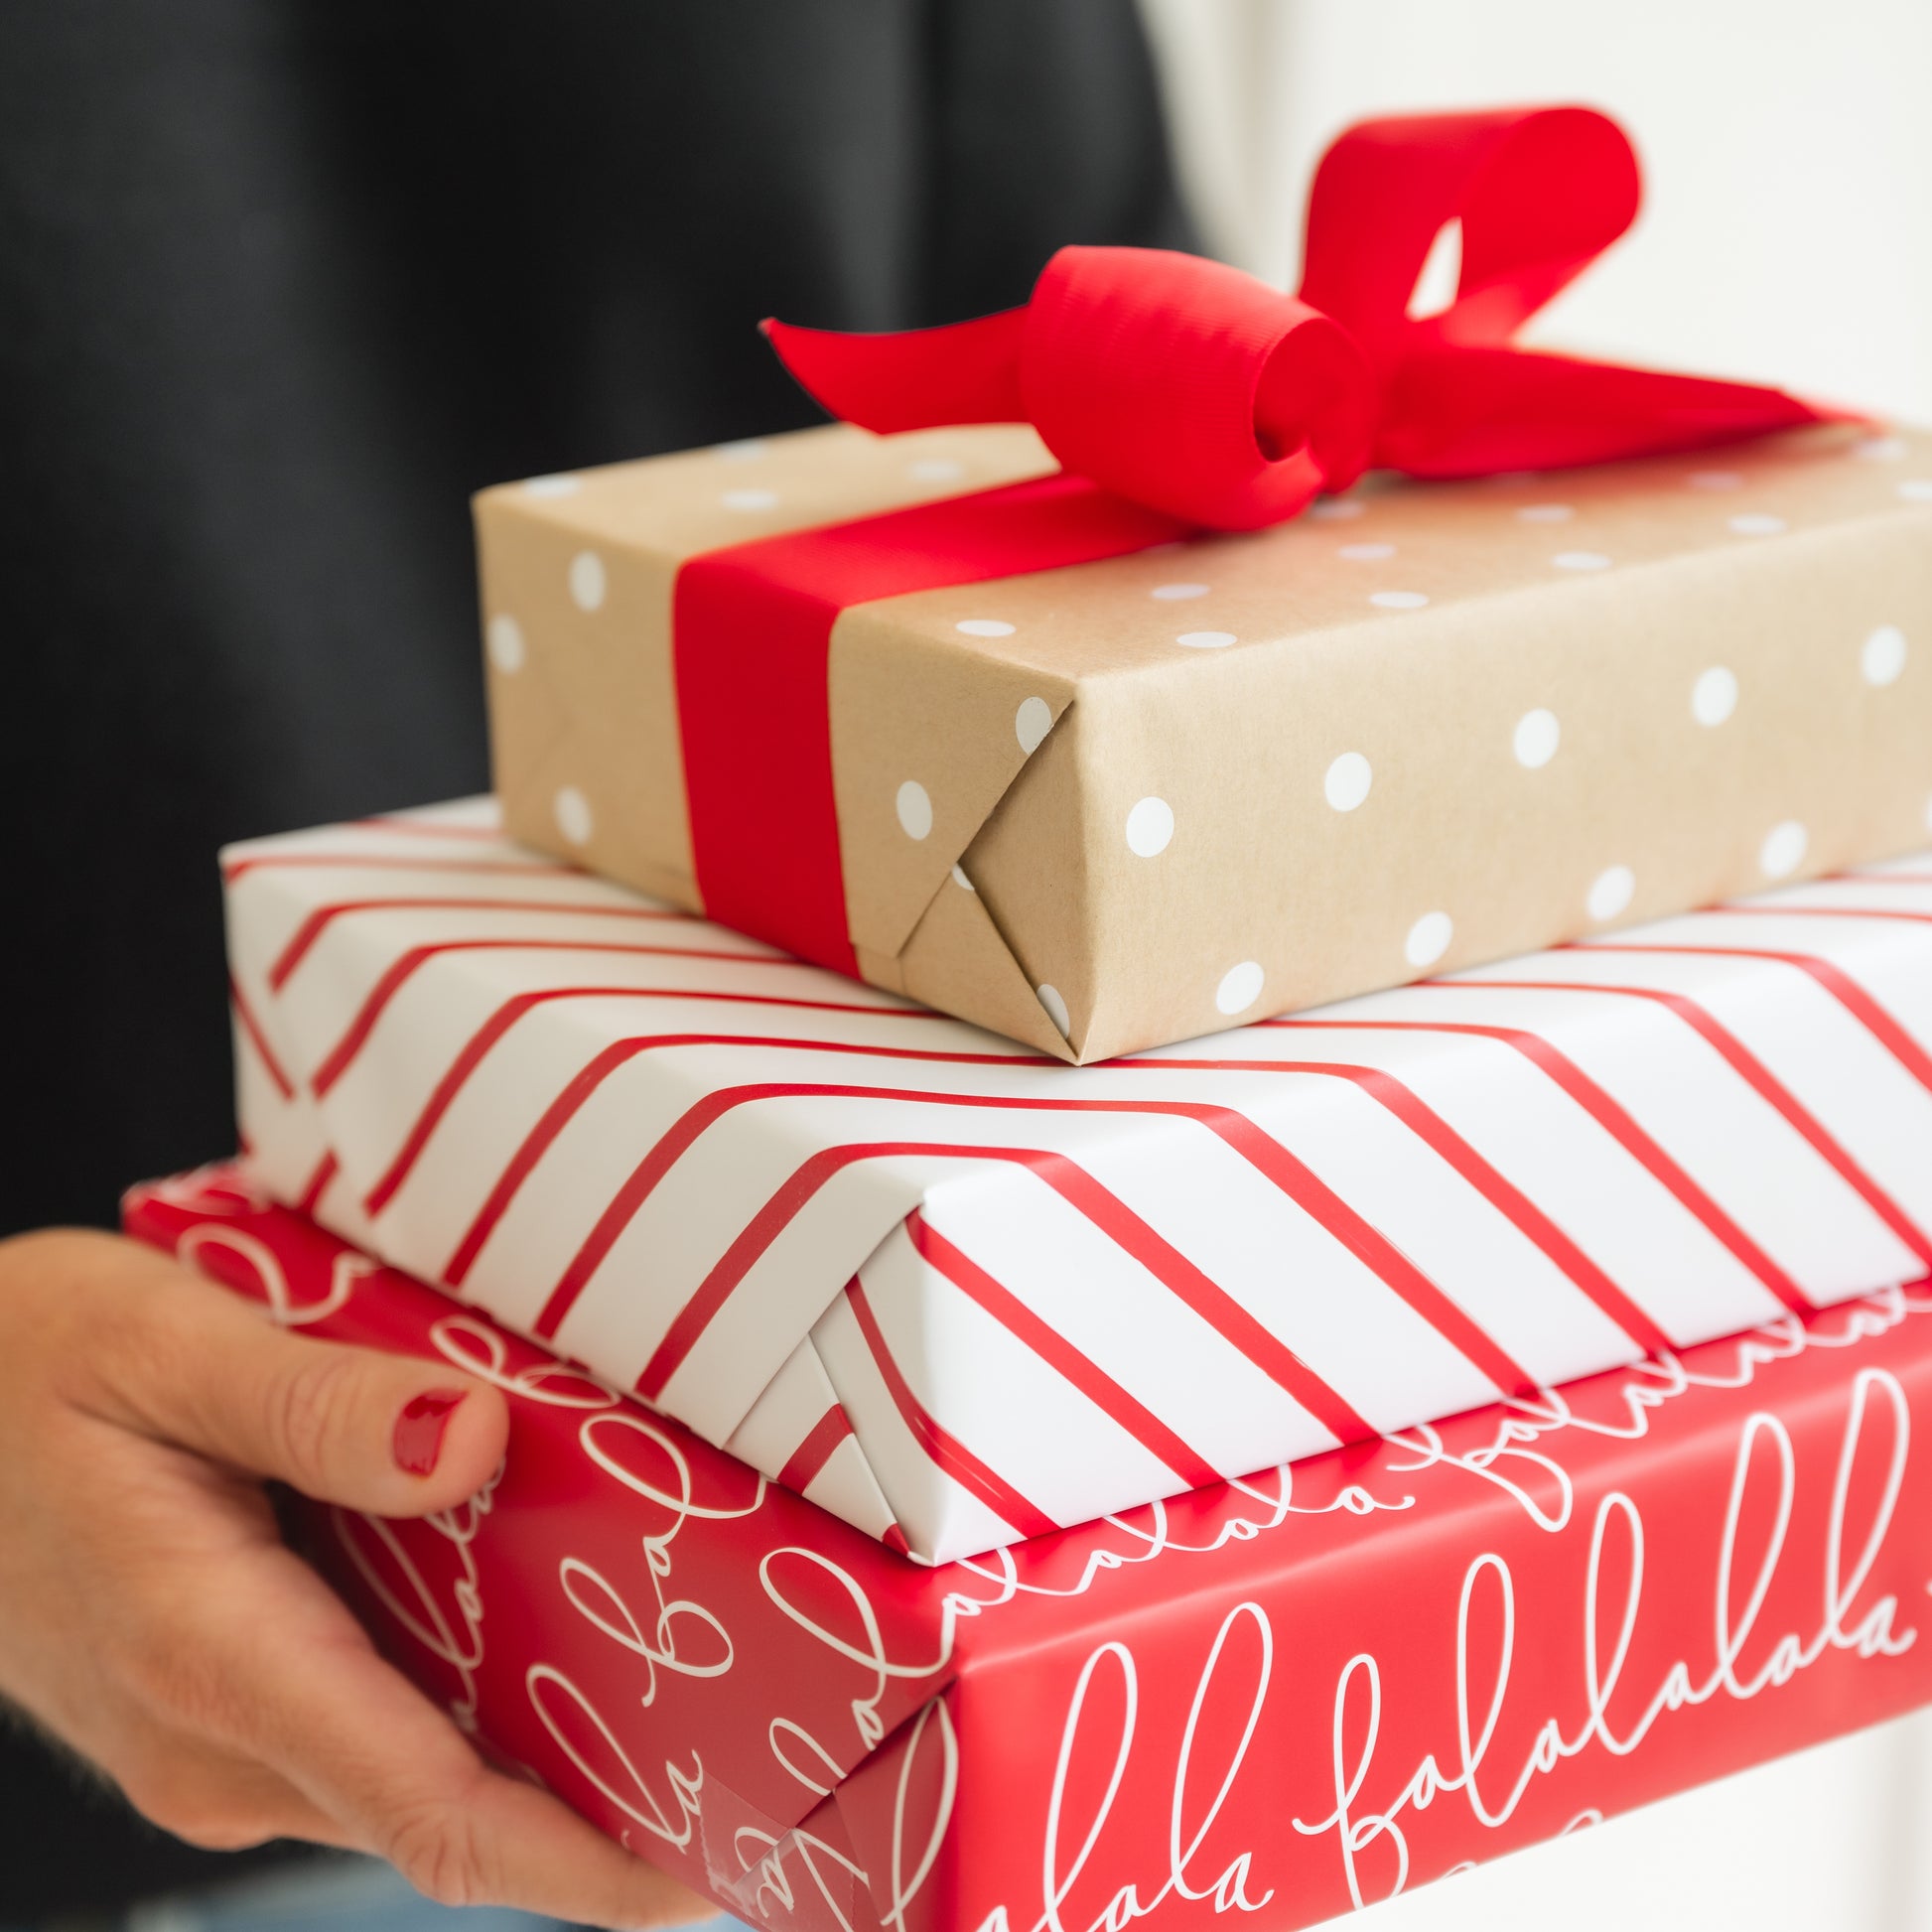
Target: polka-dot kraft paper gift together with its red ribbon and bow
[979, 714]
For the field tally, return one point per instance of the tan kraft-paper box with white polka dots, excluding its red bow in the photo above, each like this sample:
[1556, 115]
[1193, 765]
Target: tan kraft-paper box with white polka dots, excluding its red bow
[1151, 797]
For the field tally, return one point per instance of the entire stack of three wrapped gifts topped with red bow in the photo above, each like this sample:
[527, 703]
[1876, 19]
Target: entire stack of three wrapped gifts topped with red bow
[1199, 1185]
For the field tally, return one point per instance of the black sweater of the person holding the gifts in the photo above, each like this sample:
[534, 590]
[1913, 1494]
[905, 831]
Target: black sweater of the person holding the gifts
[279, 287]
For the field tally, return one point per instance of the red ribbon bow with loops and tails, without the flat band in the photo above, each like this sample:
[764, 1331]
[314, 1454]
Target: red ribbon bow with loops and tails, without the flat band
[1199, 391]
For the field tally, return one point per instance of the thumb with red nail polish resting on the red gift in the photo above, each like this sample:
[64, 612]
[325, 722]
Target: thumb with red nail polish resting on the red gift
[190, 1363]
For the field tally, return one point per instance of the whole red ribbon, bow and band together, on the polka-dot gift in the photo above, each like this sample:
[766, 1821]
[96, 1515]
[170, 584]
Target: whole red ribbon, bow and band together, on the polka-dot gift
[1178, 395]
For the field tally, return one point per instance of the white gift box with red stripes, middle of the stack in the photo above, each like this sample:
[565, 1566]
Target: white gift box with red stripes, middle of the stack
[959, 1293]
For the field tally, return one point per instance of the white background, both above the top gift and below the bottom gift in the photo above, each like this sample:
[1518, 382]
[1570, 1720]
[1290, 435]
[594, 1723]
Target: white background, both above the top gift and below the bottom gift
[1788, 239]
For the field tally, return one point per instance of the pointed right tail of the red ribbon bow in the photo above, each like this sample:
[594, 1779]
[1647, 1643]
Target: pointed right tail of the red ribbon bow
[1460, 412]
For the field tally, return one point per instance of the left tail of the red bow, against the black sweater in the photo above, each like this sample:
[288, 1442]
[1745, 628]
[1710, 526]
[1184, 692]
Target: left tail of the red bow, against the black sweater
[913, 380]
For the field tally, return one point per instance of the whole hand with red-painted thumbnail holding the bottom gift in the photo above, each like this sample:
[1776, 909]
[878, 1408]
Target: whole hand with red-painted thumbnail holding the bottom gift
[152, 1618]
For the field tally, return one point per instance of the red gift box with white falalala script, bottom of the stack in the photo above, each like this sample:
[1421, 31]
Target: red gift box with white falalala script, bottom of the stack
[1288, 1695]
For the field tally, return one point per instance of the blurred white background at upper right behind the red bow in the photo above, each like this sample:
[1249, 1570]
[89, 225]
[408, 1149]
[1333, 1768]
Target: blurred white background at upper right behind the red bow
[1788, 159]
